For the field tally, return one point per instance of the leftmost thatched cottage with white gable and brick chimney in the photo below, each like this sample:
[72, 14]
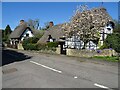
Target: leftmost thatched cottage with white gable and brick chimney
[20, 33]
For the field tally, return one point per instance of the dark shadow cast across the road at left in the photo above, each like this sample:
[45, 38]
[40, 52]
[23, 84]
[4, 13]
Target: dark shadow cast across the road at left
[10, 56]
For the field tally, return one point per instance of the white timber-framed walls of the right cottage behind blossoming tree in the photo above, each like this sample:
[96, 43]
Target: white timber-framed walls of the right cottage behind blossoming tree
[70, 42]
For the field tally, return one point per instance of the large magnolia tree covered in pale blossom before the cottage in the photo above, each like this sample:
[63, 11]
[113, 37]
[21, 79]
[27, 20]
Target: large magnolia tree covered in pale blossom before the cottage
[87, 24]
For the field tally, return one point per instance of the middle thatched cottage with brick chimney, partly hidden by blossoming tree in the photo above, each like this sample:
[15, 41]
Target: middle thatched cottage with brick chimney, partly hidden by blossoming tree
[54, 33]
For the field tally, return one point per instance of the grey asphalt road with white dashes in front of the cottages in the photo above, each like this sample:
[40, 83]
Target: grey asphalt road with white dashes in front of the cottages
[23, 69]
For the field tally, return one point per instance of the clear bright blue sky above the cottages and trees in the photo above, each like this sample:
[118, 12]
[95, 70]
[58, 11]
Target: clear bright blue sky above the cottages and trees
[58, 12]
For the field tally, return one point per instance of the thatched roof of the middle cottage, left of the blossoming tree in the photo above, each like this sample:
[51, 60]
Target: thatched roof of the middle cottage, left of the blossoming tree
[55, 31]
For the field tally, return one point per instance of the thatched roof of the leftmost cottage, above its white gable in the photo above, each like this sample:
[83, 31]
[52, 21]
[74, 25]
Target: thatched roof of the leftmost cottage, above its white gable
[19, 30]
